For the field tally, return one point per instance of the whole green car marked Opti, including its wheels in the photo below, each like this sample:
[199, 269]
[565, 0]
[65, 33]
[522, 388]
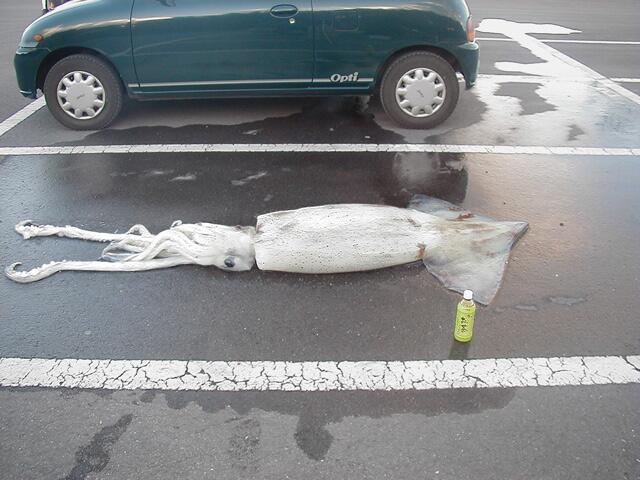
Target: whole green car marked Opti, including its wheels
[87, 55]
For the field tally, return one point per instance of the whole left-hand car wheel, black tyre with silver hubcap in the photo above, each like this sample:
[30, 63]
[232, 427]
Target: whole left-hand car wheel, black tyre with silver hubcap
[83, 92]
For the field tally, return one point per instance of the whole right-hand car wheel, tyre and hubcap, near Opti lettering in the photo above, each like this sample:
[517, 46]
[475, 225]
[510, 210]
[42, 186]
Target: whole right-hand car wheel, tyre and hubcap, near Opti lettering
[419, 90]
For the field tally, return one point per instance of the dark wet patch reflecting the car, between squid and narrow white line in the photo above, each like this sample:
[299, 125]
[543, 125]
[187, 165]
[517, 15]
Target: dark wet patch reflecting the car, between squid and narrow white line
[235, 192]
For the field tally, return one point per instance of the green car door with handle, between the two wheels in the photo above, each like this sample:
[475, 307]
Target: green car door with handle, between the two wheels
[220, 45]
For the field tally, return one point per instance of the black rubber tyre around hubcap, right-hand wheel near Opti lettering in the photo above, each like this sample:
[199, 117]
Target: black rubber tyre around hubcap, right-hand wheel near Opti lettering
[398, 69]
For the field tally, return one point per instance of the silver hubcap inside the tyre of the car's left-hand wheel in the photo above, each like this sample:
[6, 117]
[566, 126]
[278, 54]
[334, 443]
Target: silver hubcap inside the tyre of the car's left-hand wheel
[81, 95]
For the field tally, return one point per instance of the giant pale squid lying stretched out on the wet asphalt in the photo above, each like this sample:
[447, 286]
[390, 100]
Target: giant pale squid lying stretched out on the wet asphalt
[461, 249]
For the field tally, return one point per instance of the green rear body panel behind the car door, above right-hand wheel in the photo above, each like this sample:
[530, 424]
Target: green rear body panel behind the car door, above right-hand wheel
[360, 35]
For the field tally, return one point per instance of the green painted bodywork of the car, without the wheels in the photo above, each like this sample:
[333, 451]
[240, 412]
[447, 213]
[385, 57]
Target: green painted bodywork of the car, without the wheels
[190, 48]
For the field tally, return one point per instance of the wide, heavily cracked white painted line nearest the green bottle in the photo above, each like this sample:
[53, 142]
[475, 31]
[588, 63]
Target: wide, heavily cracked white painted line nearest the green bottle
[317, 376]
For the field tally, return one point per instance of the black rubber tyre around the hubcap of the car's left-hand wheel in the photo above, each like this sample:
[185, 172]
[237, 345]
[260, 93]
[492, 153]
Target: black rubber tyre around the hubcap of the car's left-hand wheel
[113, 92]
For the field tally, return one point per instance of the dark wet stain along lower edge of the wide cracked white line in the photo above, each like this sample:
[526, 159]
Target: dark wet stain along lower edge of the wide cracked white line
[317, 411]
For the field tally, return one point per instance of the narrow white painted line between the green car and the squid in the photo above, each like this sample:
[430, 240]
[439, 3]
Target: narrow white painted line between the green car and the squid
[318, 148]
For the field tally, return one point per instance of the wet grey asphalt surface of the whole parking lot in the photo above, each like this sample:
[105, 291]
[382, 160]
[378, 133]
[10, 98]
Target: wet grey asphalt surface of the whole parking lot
[571, 287]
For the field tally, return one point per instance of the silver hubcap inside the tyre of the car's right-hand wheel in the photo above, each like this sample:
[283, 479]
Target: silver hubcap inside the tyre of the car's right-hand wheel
[420, 92]
